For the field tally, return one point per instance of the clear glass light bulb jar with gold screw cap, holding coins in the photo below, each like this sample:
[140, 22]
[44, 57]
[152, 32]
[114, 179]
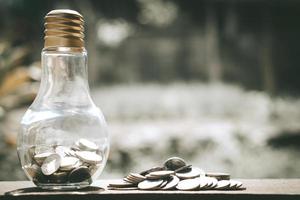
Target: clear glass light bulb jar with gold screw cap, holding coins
[63, 142]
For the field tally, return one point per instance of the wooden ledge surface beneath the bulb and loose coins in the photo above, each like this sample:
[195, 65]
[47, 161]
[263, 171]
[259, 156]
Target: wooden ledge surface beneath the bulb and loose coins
[255, 189]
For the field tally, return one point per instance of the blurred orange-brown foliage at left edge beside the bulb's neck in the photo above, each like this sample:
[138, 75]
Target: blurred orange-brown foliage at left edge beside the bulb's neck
[16, 76]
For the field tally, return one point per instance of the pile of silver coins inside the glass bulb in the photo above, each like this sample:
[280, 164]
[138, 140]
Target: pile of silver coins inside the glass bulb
[62, 164]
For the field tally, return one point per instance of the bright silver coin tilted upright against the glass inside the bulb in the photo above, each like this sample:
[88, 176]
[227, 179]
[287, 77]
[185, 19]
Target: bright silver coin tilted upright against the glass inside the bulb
[51, 164]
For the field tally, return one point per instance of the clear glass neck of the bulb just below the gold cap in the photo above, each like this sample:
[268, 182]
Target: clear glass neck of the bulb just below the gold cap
[64, 81]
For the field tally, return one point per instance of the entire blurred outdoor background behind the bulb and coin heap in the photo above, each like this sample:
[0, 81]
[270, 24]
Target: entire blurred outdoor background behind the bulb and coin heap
[213, 81]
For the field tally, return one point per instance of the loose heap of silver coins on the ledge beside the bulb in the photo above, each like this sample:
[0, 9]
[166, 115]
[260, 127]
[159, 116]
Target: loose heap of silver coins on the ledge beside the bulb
[176, 174]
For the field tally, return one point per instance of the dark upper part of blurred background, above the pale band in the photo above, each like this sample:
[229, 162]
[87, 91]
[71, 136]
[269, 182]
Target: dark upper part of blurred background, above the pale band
[251, 43]
